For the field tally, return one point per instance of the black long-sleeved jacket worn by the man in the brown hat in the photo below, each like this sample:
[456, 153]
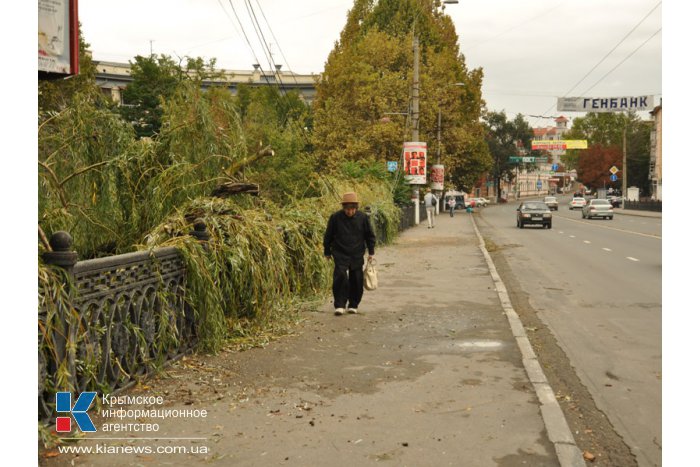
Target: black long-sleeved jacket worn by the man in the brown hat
[346, 238]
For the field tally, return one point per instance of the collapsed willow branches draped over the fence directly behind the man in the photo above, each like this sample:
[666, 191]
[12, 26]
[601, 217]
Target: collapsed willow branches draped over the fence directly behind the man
[263, 259]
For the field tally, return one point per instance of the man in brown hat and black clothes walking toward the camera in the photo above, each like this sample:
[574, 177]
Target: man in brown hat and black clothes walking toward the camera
[347, 236]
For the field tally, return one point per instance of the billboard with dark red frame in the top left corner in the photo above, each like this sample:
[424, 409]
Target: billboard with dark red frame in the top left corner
[58, 37]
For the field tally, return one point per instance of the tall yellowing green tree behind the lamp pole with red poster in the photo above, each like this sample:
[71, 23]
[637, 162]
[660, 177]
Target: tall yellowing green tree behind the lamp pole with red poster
[369, 75]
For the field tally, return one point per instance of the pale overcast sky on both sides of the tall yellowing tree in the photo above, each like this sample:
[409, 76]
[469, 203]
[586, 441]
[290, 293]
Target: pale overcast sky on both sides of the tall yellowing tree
[531, 51]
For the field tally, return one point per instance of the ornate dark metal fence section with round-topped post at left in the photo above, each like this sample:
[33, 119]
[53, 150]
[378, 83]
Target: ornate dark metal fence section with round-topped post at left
[126, 314]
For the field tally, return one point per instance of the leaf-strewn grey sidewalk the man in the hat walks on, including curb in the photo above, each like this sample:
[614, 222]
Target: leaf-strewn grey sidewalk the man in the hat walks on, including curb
[428, 374]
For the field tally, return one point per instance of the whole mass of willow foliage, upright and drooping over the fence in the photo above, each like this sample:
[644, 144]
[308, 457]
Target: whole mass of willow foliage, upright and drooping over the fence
[115, 192]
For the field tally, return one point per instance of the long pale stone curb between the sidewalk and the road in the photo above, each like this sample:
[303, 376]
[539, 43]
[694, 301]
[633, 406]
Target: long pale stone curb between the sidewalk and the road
[558, 430]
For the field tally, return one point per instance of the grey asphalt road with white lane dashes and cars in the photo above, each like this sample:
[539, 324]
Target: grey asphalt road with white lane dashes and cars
[597, 285]
